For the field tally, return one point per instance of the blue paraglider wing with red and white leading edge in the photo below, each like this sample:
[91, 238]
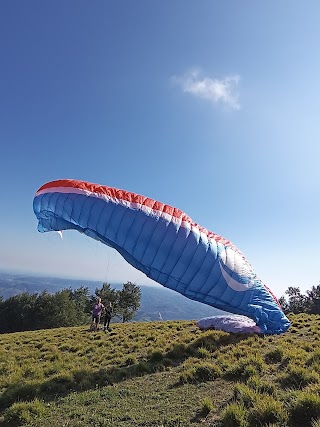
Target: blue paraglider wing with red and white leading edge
[164, 243]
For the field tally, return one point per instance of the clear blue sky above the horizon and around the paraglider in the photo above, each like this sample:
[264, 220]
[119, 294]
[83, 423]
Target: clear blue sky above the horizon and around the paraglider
[211, 106]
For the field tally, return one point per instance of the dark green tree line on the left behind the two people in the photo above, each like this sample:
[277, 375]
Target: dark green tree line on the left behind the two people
[68, 307]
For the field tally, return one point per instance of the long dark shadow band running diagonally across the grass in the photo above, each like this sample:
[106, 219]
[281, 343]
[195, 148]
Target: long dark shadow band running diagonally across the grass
[83, 380]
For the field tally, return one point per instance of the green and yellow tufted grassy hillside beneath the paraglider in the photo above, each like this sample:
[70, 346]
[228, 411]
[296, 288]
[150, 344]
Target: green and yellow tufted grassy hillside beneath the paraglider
[161, 374]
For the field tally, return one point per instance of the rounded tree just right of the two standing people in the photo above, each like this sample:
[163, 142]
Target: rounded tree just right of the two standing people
[129, 301]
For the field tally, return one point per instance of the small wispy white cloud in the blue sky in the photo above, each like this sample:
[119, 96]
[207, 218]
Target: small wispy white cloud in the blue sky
[218, 91]
